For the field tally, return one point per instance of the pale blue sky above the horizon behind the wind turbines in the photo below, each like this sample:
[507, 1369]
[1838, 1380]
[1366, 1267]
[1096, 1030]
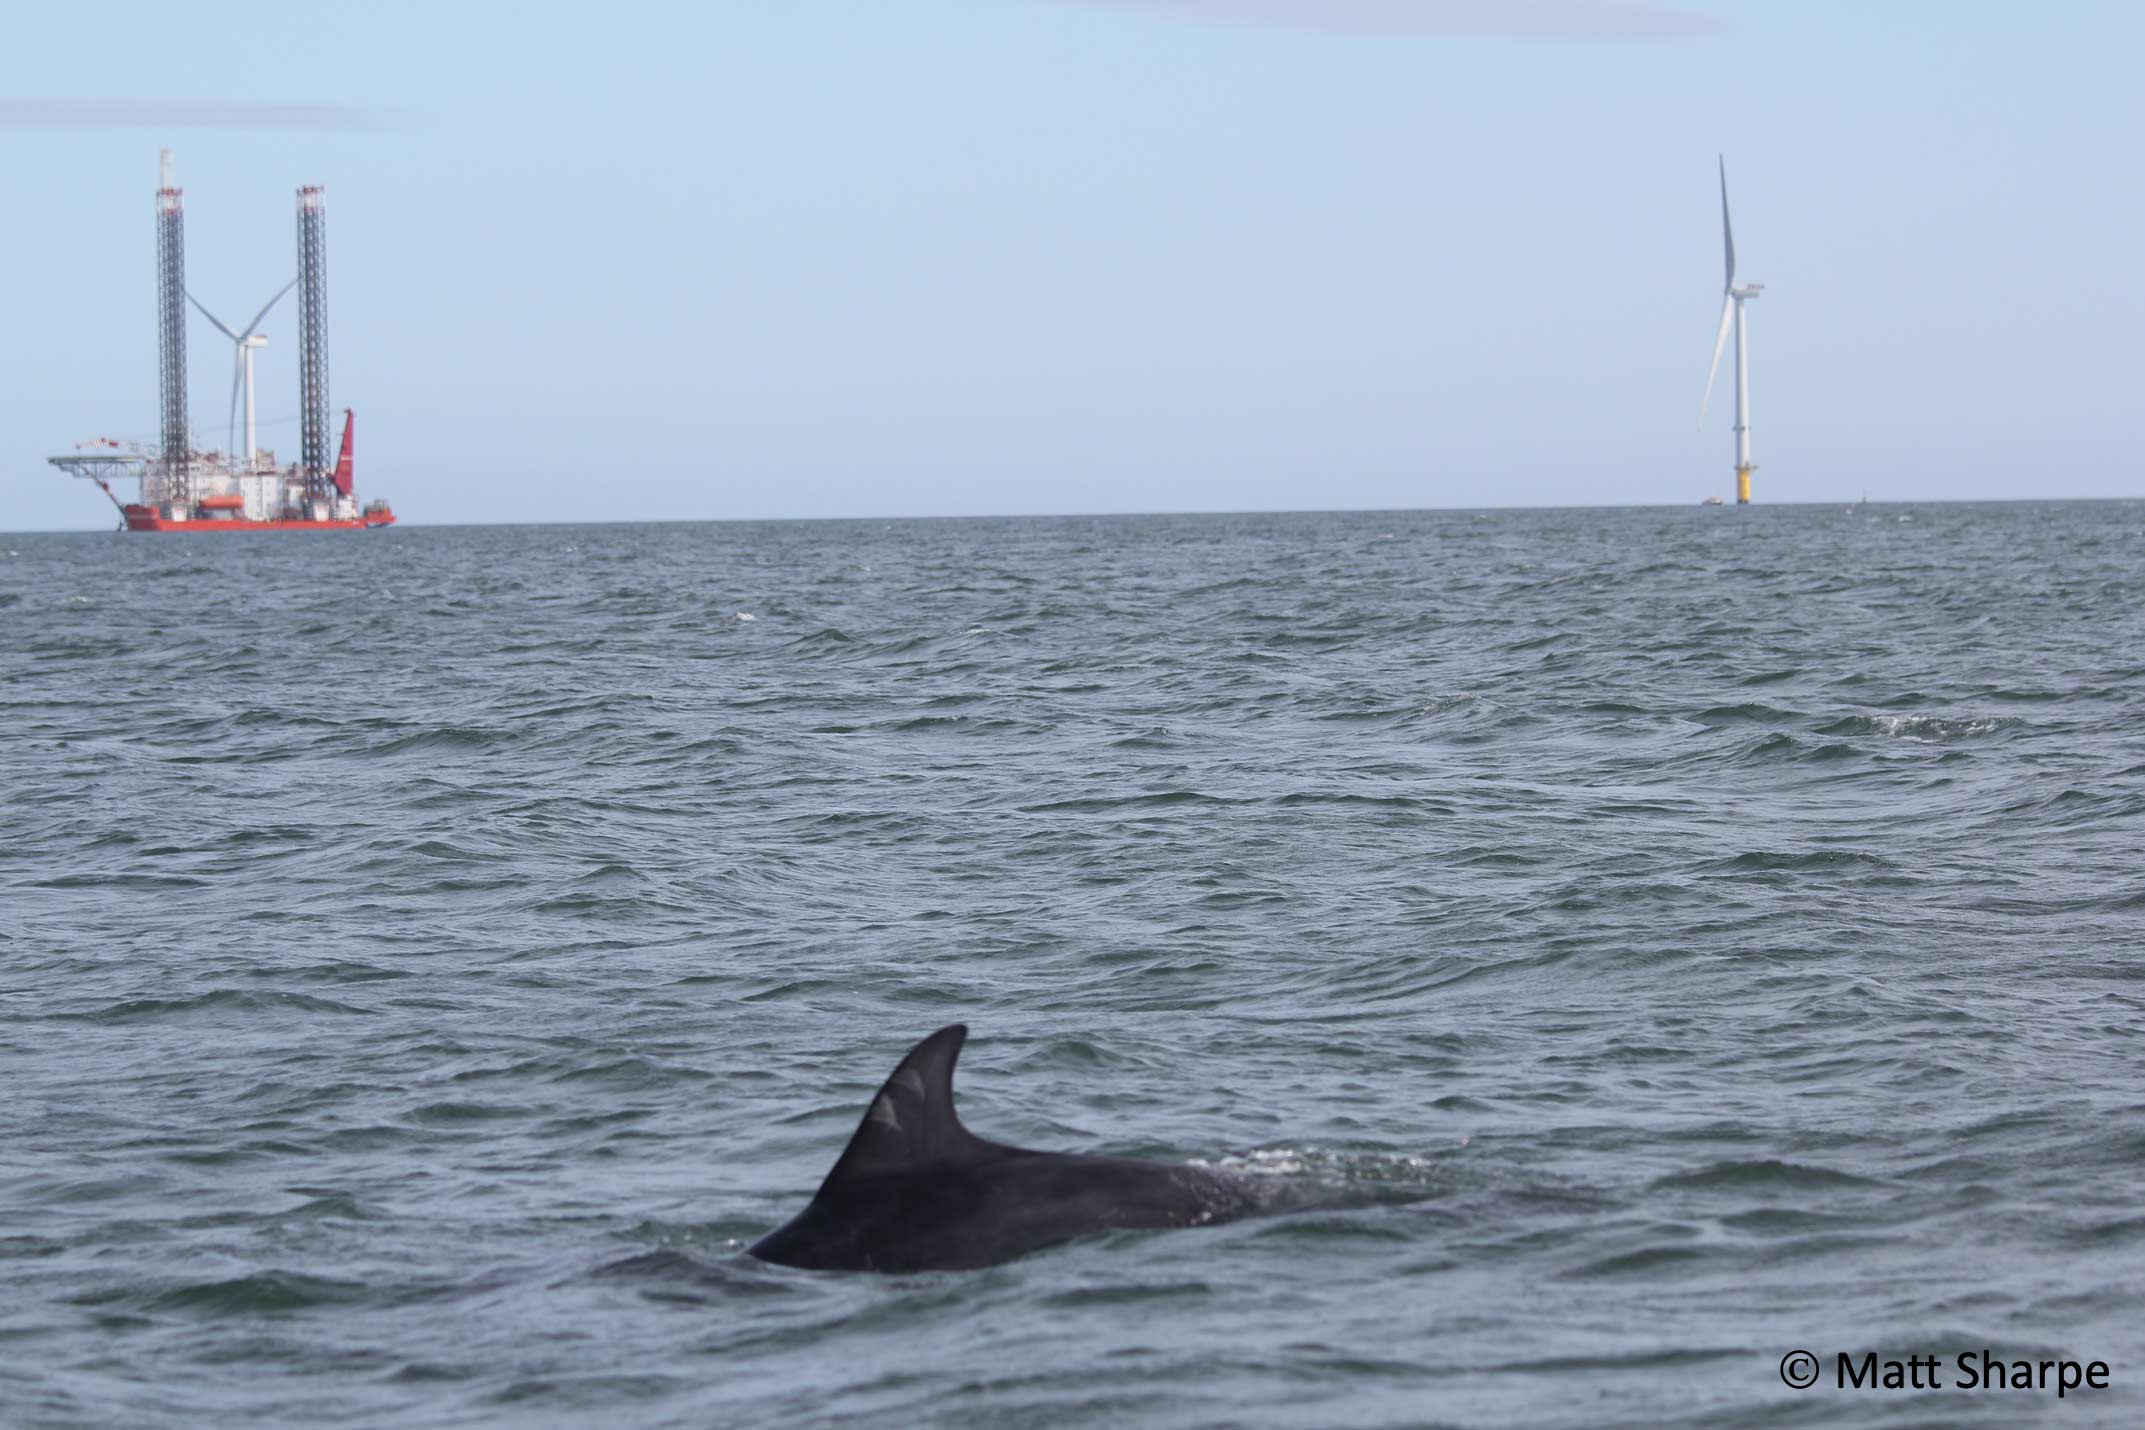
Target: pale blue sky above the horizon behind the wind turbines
[883, 258]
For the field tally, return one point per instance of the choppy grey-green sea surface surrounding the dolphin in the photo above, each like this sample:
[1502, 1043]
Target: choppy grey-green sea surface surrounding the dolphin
[428, 957]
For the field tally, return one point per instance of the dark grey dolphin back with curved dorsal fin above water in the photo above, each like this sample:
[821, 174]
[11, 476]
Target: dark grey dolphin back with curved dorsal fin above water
[919, 1193]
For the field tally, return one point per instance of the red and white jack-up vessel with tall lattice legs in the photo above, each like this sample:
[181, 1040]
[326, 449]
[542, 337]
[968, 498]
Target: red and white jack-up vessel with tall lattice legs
[239, 490]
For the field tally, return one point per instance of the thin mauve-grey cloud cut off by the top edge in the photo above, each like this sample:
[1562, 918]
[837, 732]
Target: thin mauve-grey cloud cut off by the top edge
[1545, 20]
